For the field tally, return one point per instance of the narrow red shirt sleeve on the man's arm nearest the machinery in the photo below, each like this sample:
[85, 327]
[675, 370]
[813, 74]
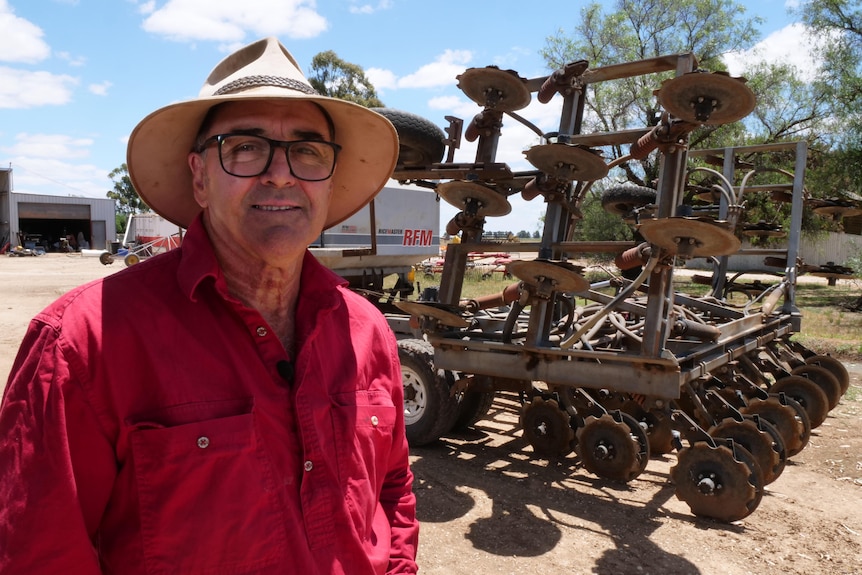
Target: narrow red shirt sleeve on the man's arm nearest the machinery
[397, 497]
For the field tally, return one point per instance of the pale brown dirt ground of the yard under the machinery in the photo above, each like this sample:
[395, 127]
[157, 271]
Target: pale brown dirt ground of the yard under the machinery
[488, 506]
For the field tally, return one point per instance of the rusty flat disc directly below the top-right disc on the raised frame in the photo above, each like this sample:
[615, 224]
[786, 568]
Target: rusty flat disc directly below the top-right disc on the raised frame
[691, 237]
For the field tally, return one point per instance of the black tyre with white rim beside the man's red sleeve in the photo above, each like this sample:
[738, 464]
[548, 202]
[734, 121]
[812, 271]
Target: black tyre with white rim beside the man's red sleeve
[430, 409]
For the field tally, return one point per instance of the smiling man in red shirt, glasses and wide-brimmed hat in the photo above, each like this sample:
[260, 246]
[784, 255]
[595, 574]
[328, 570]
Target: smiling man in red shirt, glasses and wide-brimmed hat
[229, 406]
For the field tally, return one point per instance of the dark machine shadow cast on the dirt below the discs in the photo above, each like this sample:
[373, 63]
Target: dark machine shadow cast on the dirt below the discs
[537, 504]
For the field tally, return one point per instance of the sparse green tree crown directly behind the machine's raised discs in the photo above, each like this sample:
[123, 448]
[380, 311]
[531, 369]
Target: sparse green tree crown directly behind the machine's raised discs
[637, 30]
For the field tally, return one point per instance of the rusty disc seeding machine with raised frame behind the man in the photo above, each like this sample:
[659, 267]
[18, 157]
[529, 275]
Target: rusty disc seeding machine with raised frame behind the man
[622, 369]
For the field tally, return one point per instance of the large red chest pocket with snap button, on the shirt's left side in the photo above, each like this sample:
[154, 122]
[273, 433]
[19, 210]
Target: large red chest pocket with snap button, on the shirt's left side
[207, 497]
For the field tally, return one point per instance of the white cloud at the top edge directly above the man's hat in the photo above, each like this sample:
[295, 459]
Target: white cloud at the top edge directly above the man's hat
[220, 20]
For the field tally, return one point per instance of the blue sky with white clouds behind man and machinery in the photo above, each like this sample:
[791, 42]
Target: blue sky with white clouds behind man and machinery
[77, 75]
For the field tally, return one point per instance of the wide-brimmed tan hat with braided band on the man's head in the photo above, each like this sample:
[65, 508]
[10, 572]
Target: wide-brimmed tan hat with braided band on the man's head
[157, 154]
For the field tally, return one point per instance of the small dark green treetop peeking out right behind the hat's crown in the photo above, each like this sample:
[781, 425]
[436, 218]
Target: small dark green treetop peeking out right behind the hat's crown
[332, 76]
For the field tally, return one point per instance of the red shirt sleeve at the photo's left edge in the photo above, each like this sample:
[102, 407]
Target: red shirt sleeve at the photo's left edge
[56, 465]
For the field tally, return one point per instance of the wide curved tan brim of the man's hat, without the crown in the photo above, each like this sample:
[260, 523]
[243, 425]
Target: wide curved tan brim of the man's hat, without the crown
[159, 146]
